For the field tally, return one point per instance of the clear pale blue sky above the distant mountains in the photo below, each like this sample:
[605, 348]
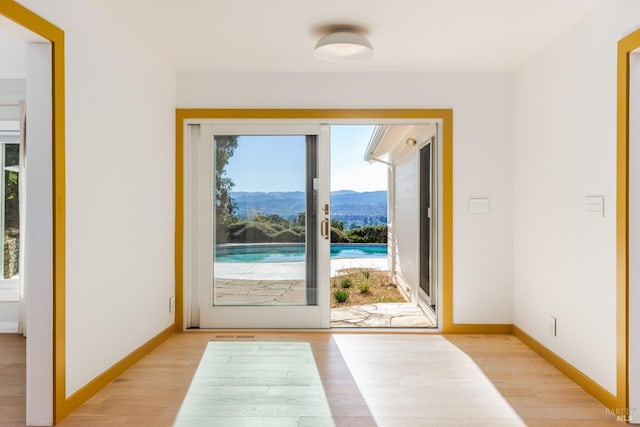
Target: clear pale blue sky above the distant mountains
[277, 163]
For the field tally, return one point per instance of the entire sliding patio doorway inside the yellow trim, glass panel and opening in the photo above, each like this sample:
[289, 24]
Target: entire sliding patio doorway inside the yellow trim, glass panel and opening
[281, 220]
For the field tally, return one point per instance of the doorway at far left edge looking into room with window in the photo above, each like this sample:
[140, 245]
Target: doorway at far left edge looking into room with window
[26, 175]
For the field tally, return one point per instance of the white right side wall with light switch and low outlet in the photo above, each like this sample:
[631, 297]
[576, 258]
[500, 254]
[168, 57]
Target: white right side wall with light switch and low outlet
[564, 149]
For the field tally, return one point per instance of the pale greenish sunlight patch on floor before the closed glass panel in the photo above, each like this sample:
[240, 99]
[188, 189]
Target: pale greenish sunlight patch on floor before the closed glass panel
[256, 384]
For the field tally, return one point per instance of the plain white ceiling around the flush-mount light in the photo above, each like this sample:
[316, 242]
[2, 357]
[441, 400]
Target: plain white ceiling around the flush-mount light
[407, 35]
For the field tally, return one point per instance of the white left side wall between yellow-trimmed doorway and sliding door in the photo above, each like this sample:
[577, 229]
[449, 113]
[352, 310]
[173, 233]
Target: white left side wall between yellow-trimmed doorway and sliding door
[120, 102]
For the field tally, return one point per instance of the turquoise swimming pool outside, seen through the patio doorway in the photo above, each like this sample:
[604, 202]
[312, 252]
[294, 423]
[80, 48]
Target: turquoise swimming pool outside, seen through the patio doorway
[294, 252]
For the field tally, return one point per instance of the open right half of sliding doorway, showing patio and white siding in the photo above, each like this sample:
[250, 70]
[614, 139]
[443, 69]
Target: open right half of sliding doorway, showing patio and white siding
[372, 286]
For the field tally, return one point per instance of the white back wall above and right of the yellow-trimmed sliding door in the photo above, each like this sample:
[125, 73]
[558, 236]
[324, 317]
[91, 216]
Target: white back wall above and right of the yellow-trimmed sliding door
[482, 153]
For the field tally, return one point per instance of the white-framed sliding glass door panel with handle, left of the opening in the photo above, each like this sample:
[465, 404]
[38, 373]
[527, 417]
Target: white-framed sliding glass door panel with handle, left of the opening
[258, 234]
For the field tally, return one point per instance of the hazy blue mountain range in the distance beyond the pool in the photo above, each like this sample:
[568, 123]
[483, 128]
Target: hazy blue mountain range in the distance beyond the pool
[353, 208]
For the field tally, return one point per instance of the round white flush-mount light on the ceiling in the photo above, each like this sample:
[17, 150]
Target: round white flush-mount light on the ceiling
[343, 44]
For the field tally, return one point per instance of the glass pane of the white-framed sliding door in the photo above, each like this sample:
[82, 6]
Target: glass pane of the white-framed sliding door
[264, 245]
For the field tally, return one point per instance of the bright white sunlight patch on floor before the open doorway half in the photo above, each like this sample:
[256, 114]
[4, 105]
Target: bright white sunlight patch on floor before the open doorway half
[418, 378]
